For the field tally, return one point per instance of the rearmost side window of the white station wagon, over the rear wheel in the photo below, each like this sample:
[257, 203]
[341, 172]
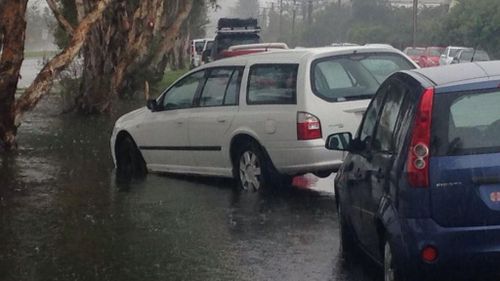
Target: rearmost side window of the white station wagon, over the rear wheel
[272, 84]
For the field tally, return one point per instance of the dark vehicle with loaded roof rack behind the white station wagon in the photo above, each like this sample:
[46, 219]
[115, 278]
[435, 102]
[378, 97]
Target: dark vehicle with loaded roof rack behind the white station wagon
[232, 32]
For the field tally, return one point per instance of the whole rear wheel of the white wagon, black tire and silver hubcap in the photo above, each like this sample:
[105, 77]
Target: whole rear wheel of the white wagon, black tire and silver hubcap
[254, 171]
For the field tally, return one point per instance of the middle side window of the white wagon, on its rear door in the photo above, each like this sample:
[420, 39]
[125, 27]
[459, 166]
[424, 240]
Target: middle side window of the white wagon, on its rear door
[215, 87]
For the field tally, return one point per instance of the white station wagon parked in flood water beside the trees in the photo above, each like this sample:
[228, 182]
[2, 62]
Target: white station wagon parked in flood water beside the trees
[260, 118]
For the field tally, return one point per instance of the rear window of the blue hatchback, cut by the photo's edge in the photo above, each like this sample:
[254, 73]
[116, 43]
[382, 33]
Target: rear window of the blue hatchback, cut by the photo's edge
[466, 123]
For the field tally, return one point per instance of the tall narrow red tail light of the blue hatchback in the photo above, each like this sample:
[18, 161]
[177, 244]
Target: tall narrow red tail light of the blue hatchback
[419, 153]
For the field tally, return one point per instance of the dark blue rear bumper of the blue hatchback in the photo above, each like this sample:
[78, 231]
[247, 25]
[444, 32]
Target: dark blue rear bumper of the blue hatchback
[464, 252]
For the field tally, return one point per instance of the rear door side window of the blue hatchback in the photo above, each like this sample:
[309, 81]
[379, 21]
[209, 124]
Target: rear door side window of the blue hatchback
[384, 138]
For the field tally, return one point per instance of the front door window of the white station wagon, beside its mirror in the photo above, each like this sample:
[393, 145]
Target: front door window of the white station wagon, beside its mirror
[182, 94]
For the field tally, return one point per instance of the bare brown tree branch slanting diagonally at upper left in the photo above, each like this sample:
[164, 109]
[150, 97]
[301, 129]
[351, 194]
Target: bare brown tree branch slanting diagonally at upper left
[44, 80]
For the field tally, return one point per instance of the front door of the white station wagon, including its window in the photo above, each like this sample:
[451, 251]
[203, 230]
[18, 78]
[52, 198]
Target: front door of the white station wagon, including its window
[164, 136]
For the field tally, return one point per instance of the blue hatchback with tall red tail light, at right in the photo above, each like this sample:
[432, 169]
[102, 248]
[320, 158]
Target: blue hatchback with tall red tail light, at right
[419, 190]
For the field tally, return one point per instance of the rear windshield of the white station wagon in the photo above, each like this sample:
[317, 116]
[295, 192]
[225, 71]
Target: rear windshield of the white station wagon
[355, 76]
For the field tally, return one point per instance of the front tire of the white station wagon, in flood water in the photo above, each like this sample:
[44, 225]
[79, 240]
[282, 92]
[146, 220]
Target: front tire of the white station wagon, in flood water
[130, 164]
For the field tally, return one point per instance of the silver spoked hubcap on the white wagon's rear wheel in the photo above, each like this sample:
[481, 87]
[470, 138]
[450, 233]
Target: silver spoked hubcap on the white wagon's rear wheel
[250, 171]
